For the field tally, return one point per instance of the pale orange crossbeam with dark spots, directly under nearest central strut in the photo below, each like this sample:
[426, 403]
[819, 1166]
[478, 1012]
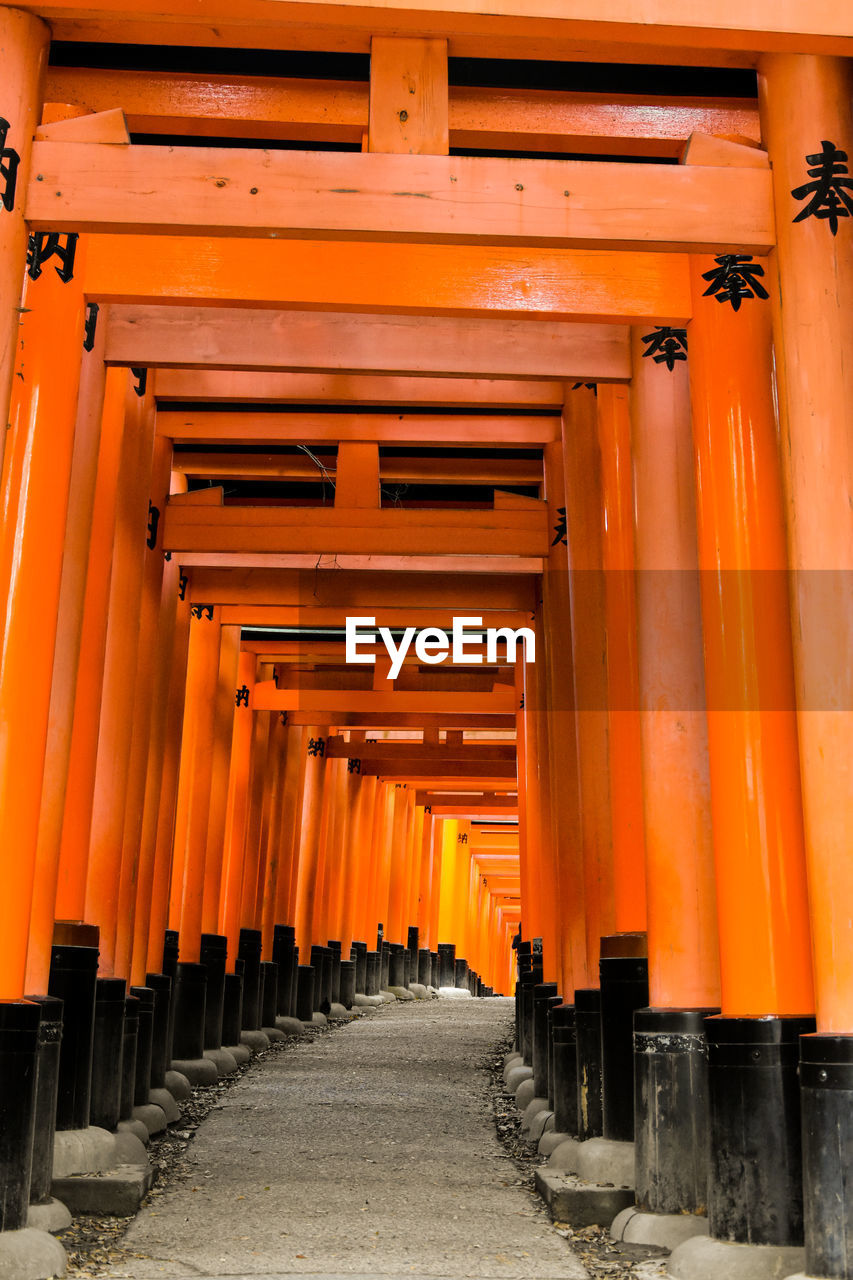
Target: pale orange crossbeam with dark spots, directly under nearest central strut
[332, 195]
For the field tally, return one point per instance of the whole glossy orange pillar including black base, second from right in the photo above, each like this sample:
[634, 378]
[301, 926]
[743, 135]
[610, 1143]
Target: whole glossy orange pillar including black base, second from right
[763, 908]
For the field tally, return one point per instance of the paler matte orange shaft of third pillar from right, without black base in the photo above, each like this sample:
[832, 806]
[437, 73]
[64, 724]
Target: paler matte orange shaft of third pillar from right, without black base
[683, 953]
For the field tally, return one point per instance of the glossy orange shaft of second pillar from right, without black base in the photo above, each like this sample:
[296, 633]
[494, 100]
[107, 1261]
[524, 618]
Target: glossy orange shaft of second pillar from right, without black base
[763, 900]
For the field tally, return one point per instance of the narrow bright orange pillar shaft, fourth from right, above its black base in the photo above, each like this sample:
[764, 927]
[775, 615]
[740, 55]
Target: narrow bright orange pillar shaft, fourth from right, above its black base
[624, 739]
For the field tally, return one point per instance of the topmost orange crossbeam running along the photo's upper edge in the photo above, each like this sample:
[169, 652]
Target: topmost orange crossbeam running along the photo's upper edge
[635, 30]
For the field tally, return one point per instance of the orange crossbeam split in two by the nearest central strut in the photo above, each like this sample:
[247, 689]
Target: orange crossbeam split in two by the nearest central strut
[247, 107]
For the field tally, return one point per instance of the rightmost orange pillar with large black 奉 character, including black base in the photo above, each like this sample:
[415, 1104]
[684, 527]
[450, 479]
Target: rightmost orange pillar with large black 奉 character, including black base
[810, 153]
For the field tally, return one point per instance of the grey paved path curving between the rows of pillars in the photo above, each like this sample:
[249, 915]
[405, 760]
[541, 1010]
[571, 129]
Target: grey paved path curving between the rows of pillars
[368, 1153]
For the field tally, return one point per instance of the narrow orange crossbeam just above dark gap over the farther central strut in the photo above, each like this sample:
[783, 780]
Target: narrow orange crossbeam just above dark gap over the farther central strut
[271, 428]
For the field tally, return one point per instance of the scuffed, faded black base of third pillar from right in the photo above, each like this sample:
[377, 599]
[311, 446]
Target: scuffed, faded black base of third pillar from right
[672, 1110]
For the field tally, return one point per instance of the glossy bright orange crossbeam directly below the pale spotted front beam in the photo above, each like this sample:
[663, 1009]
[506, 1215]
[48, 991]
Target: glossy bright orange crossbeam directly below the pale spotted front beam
[407, 280]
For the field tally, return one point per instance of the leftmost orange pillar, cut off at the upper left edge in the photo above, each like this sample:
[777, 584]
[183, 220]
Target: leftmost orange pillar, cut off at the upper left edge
[24, 54]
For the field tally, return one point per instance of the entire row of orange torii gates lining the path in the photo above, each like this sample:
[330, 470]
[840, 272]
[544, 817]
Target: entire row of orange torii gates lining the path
[256, 392]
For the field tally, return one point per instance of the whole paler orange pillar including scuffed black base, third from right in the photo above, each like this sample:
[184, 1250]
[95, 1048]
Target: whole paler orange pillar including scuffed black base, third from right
[670, 1121]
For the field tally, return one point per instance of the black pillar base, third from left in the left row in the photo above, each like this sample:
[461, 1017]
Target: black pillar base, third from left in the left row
[74, 973]
